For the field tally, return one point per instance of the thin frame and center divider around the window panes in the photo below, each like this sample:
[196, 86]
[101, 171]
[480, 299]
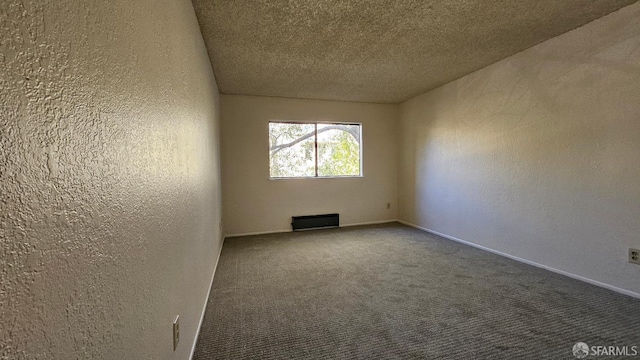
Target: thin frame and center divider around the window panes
[316, 123]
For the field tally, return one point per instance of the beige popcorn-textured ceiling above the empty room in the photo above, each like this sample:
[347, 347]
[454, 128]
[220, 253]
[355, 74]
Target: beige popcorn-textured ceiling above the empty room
[374, 51]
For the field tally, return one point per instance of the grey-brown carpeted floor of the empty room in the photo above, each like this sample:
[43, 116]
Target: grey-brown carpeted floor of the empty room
[393, 292]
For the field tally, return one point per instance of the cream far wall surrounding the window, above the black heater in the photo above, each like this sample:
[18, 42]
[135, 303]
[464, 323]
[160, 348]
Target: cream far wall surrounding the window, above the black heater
[253, 203]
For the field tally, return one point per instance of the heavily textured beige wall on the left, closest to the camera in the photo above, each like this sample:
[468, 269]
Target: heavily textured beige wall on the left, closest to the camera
[110, 195]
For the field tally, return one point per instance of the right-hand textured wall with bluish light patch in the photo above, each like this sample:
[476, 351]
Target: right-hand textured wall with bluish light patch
[537, 155]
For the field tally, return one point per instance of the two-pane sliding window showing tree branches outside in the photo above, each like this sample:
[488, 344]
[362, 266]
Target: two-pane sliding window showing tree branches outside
[299, 149]
